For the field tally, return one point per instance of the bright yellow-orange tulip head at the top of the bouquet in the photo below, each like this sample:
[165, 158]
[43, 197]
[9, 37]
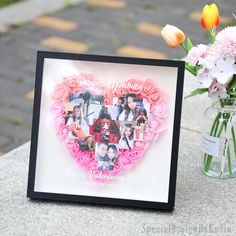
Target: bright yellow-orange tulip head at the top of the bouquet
[210, 16]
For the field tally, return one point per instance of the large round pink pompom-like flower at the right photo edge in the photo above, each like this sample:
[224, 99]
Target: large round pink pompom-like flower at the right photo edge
[225, 43]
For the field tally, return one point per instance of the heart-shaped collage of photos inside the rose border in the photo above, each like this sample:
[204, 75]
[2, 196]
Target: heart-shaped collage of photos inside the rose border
[106, 129]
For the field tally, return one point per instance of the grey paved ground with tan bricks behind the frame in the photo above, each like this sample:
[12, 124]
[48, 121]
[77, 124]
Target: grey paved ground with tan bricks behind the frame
[112, 27]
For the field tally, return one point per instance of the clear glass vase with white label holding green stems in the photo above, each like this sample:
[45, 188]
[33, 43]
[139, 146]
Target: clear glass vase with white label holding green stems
[219, 139]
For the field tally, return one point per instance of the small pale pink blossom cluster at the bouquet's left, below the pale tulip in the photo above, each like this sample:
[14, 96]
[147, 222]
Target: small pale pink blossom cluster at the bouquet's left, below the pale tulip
[200, 51]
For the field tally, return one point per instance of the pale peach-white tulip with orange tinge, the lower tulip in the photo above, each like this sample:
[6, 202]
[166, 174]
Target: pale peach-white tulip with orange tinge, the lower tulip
[172, 35]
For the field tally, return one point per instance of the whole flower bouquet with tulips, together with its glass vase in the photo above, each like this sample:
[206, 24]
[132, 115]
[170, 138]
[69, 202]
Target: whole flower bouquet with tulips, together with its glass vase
[214, 67]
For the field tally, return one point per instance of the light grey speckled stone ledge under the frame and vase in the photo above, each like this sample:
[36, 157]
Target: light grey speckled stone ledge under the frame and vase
[203, 205]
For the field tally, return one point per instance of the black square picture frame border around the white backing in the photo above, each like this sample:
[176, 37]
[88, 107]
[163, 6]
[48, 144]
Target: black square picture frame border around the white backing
[31, 193]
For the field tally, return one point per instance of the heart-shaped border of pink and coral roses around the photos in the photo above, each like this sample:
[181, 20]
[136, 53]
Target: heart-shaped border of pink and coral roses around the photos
[127, 158]
